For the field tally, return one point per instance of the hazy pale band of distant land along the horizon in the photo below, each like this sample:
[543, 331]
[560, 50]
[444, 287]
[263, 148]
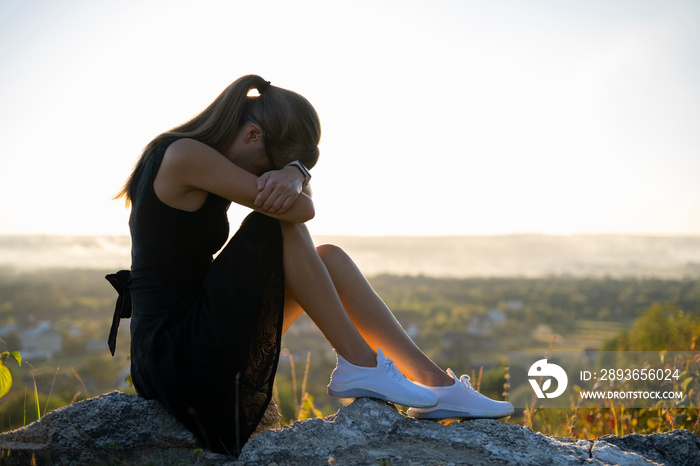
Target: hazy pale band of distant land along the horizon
[450, 256]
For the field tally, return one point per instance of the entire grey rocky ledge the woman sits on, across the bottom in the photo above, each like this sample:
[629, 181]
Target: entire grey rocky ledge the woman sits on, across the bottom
[116, 428]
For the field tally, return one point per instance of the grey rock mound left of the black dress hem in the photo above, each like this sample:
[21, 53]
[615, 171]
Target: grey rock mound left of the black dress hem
[108, 428]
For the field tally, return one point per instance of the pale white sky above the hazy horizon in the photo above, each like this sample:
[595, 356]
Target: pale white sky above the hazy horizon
[440, 117]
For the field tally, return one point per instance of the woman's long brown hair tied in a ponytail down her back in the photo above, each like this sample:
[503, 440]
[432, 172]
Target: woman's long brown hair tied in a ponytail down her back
[291, 124]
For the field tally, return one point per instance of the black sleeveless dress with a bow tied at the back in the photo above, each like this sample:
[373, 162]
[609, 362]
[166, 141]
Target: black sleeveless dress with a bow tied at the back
[205, 334]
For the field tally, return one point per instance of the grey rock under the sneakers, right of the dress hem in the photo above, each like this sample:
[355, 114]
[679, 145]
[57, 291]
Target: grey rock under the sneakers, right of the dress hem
[370, 432]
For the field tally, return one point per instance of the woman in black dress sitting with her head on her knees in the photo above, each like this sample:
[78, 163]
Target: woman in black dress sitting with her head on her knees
[205, 334]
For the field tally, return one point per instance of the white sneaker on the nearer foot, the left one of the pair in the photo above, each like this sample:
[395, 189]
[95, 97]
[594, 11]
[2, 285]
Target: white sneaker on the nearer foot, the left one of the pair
[384, 382]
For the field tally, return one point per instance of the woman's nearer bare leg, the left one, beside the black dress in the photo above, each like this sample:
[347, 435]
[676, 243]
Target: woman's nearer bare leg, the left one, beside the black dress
[308, 283]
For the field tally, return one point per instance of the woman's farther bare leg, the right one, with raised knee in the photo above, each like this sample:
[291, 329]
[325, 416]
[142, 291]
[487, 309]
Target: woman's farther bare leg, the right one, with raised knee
[375, 321]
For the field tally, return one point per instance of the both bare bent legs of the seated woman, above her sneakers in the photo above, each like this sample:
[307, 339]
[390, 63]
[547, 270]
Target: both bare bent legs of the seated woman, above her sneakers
[327, 284]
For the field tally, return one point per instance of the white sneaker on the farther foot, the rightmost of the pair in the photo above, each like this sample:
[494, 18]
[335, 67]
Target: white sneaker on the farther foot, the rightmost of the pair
[461, 400]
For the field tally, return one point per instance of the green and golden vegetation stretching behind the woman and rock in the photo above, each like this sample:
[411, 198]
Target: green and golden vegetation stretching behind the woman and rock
[468, 325]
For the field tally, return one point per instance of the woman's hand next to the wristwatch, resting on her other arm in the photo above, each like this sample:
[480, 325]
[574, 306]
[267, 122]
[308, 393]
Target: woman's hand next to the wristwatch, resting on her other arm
[278, 189]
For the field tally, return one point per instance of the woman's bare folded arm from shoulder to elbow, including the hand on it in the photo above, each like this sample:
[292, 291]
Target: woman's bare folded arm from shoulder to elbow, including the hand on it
[190, 169]
